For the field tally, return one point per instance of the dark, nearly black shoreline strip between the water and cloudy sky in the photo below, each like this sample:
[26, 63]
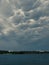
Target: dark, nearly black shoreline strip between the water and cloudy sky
[23, 52]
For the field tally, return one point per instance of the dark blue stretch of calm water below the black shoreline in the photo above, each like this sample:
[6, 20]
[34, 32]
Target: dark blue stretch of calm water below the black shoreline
[24, 59]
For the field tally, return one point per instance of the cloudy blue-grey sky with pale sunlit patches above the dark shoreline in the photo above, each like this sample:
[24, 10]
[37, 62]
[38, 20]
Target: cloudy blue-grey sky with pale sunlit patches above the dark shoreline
[24, 25]
